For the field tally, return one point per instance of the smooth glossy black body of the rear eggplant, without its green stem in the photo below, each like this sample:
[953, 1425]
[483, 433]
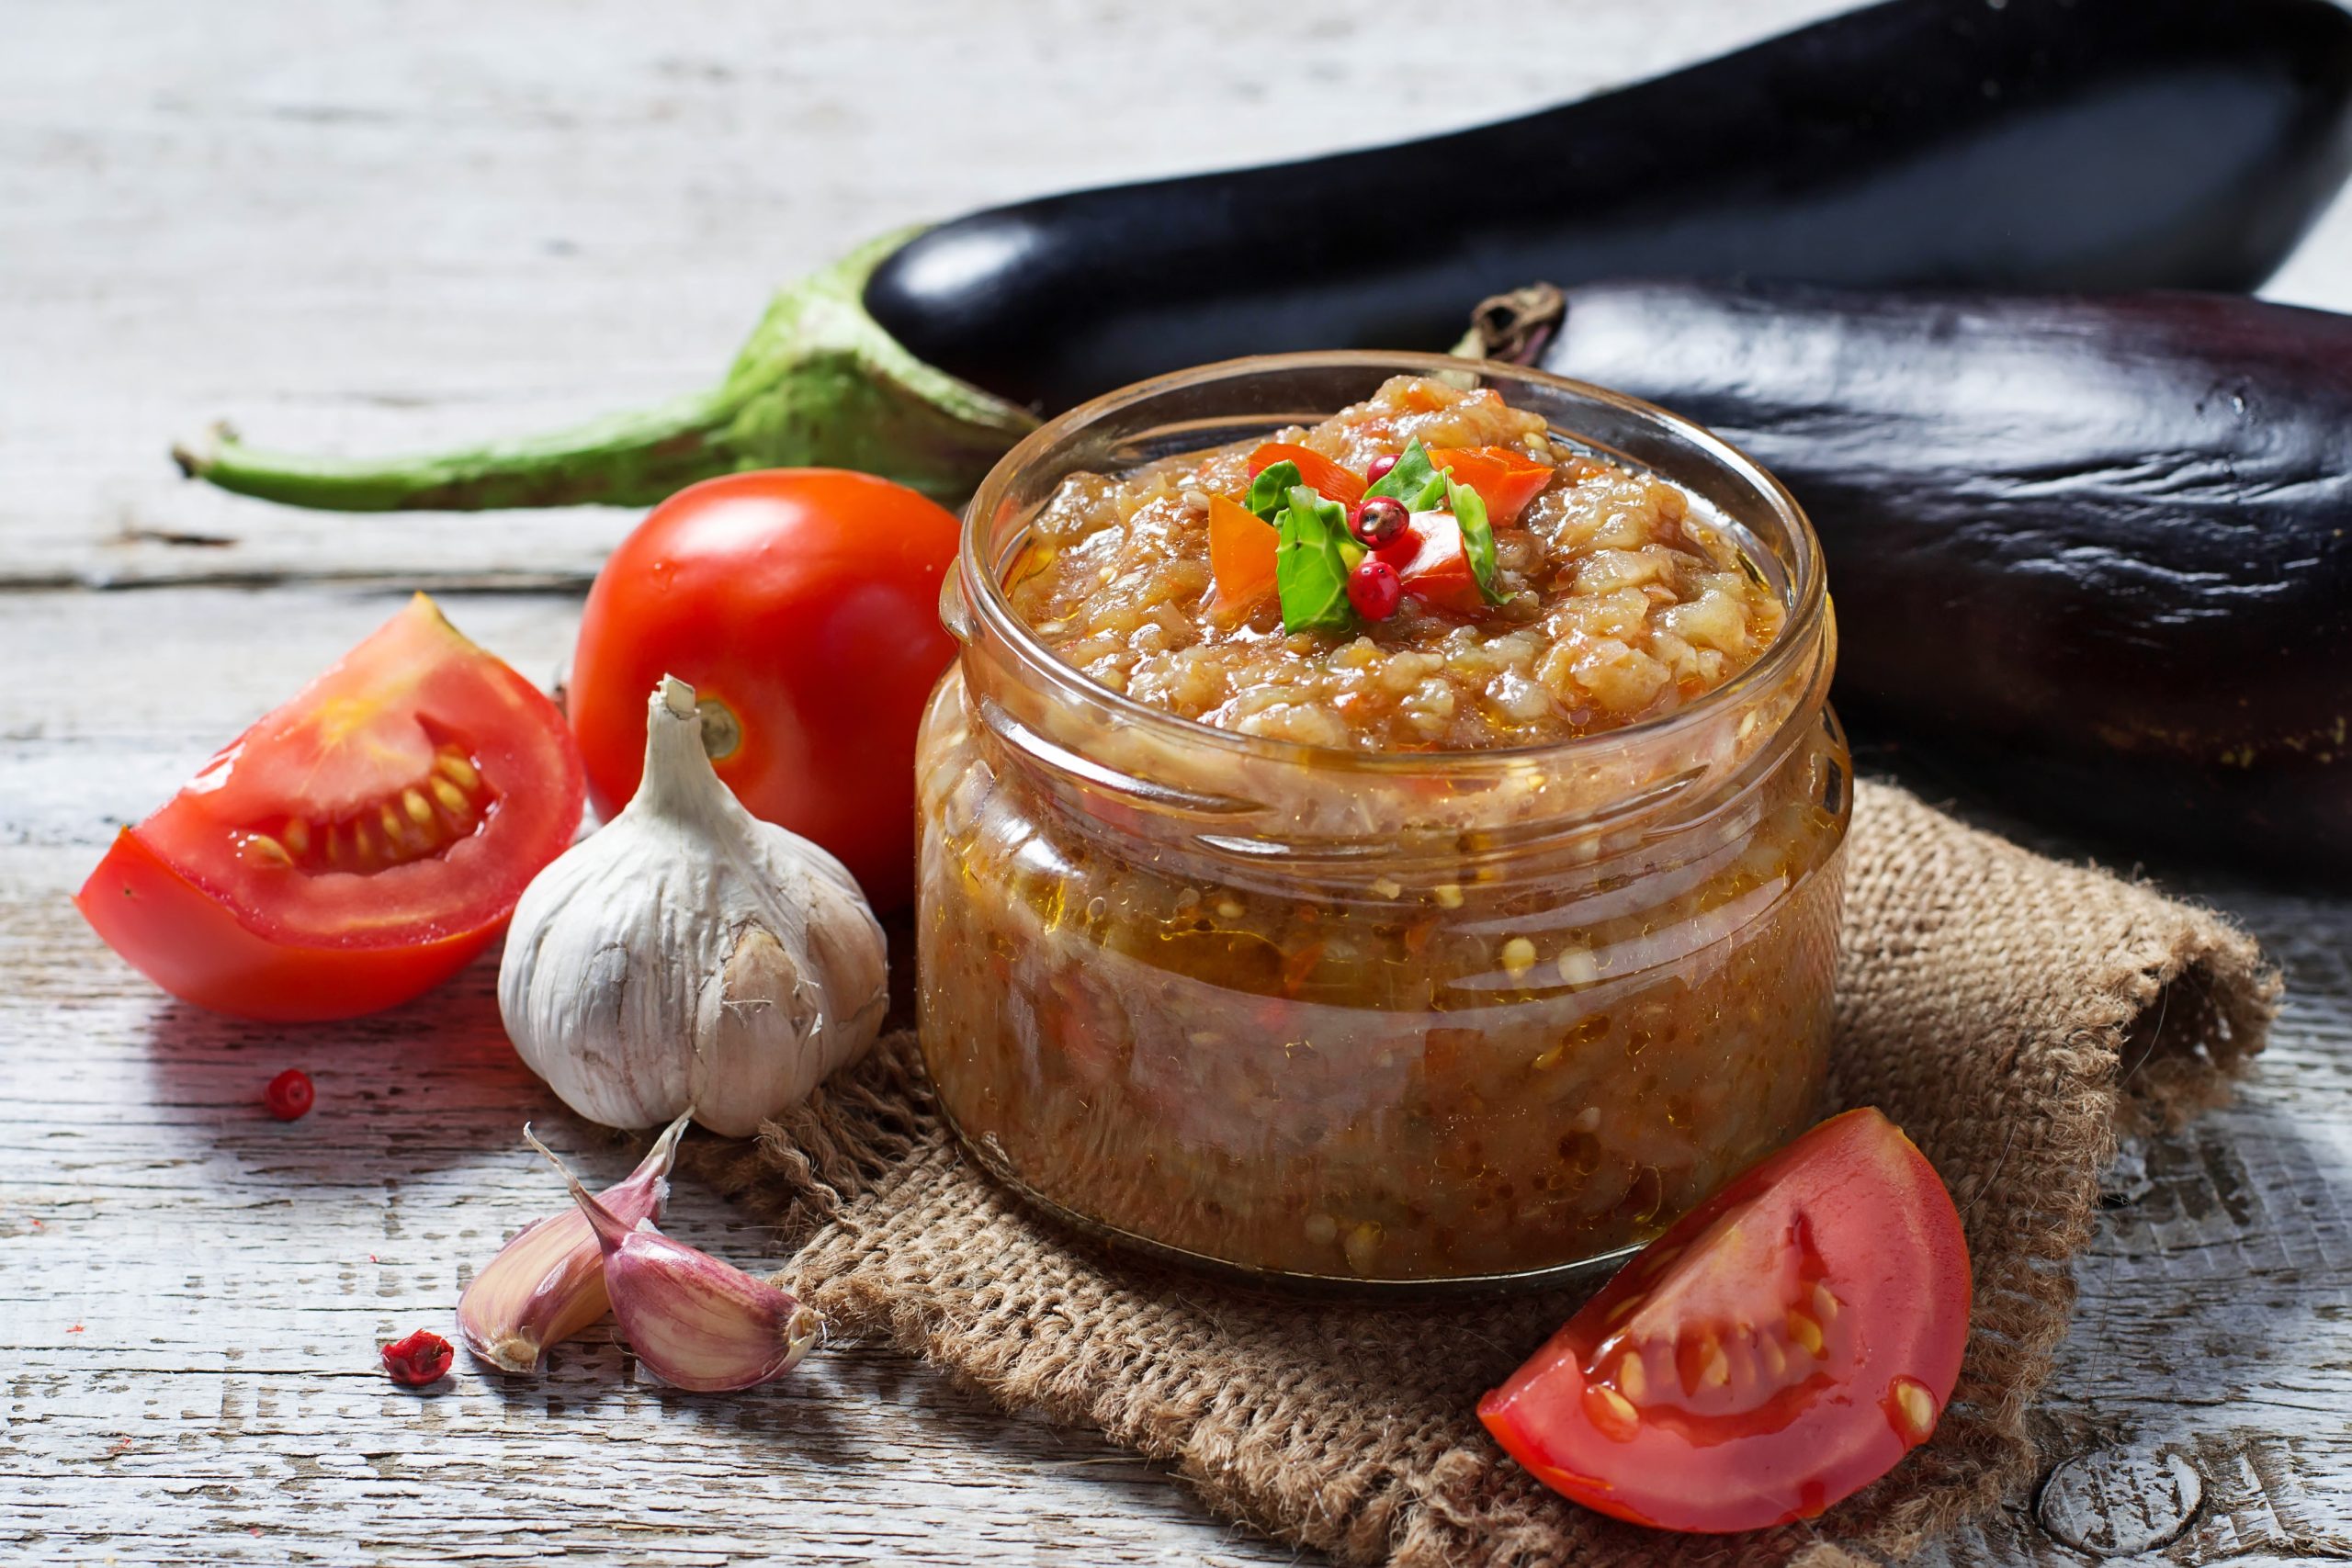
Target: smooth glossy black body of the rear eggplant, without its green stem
[2029, 145]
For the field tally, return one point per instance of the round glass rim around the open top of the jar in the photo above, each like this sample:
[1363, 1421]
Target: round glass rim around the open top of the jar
[987, 601]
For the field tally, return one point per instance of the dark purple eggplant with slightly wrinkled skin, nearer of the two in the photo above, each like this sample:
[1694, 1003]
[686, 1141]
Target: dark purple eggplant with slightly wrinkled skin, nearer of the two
[2092, 549]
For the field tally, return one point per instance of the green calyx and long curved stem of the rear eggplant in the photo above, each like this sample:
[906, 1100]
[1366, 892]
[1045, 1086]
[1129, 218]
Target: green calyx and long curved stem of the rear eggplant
[817, 387]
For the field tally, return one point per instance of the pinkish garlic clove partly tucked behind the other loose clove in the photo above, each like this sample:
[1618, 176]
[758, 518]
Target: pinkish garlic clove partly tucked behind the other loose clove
[549, 1282]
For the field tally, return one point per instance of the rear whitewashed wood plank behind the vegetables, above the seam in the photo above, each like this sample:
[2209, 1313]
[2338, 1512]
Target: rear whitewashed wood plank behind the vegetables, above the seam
[403, 229]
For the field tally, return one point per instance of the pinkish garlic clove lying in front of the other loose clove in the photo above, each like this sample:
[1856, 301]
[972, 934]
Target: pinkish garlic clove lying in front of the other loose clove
[693, 1320]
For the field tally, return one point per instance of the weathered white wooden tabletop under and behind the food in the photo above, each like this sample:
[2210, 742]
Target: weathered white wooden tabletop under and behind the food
[394, 225]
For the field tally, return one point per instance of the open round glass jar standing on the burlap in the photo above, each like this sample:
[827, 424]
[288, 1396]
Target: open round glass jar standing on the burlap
[1387, 1019]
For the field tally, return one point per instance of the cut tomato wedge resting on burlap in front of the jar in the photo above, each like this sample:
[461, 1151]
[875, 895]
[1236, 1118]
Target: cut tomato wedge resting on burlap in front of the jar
[1770, 1355]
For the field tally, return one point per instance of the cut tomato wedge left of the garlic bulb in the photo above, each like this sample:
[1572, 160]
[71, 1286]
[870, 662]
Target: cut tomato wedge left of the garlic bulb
[354, 847]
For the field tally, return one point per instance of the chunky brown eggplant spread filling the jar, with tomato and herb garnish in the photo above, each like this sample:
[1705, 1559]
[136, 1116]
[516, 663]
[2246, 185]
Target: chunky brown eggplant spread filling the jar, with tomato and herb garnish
[1525, 937]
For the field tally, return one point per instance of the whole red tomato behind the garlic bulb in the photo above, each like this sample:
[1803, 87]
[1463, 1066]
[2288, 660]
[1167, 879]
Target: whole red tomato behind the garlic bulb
[803, 605]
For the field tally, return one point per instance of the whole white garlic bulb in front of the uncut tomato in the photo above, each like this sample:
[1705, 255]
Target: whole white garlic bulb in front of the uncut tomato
[690, 956]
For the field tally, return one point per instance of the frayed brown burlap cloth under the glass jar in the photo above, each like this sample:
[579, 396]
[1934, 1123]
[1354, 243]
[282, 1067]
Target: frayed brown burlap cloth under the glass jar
[2012, 1014]
